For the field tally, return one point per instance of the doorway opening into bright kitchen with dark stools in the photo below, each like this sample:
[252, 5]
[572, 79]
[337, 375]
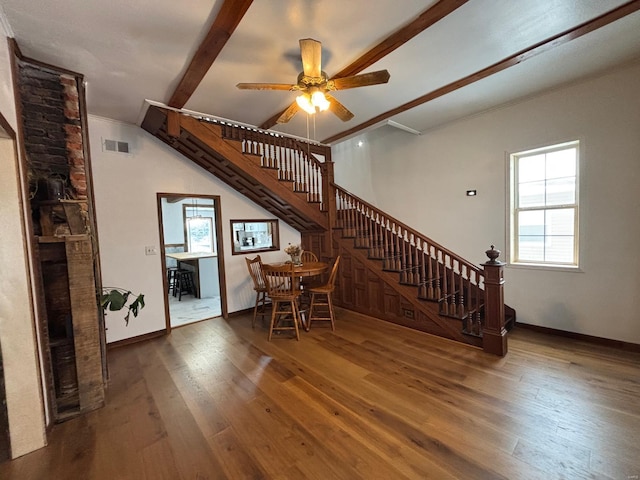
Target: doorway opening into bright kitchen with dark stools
[192, 258]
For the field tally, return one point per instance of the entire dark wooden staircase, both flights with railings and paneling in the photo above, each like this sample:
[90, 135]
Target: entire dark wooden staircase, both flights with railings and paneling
[388, 270]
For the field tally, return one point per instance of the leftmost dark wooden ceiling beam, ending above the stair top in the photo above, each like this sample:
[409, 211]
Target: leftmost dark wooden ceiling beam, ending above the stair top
[223, 26]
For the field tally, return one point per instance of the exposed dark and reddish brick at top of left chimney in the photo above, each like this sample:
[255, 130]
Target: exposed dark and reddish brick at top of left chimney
[52, 127]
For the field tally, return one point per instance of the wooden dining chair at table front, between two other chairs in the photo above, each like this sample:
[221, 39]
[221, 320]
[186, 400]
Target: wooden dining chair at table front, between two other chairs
[283, 291]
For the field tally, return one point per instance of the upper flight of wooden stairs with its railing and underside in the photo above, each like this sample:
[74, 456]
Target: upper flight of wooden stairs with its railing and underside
[282, 174]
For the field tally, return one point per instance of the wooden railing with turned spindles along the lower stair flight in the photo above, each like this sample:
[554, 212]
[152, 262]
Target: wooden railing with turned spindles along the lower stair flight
[441, 276]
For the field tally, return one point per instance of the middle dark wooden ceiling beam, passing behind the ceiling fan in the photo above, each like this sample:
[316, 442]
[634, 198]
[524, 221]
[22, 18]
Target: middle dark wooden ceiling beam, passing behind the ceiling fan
[392, 42]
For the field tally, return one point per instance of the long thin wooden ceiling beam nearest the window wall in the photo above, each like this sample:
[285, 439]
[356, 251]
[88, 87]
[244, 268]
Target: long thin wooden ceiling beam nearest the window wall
[530, 52]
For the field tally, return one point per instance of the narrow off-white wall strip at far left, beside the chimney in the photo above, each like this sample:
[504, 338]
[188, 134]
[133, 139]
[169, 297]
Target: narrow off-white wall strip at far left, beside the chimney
[17, 327]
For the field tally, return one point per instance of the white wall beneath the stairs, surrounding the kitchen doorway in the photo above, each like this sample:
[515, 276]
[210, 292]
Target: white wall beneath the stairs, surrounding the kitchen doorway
[126, 208]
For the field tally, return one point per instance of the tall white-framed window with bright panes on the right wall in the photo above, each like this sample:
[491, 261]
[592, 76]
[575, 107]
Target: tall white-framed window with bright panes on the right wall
[544, 206]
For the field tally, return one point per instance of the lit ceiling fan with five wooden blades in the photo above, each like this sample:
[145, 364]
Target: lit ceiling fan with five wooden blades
[314, 85]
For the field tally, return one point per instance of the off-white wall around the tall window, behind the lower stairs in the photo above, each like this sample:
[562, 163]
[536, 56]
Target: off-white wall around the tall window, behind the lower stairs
[422, 181]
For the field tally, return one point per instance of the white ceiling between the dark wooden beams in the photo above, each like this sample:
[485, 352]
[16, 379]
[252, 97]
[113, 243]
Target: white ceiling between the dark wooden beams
[132, 50]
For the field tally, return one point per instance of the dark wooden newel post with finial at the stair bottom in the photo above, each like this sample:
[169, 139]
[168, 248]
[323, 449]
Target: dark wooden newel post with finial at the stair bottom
[494, 335]
